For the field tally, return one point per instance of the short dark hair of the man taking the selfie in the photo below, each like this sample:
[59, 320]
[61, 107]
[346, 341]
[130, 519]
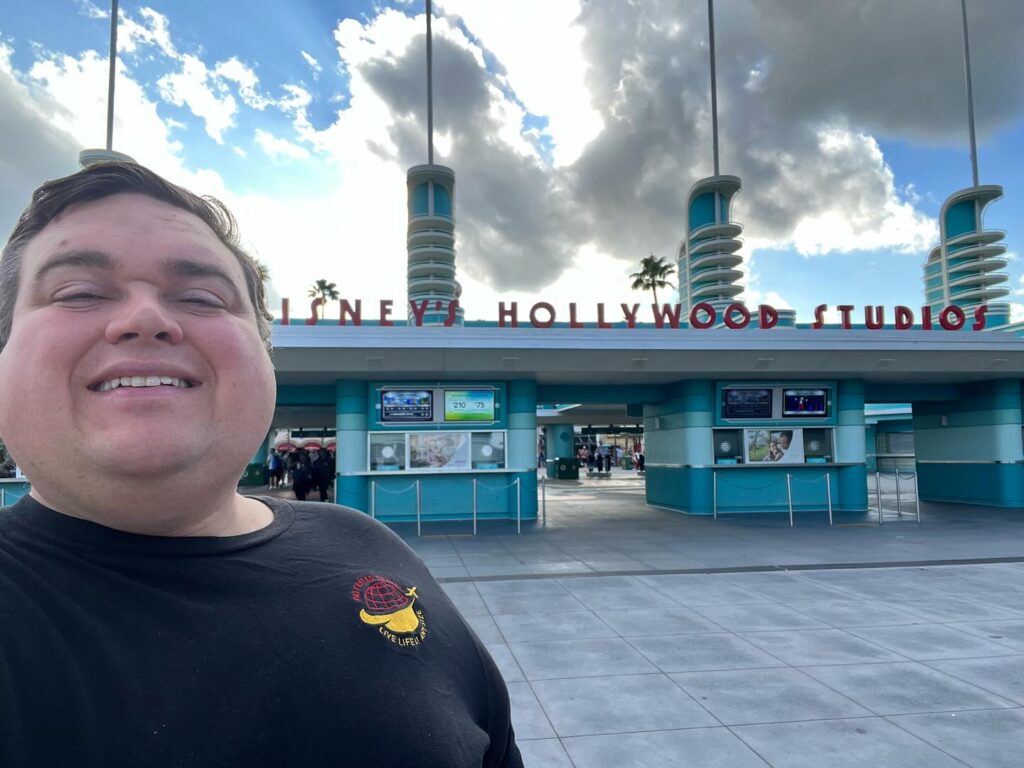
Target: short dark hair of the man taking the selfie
[106, 180]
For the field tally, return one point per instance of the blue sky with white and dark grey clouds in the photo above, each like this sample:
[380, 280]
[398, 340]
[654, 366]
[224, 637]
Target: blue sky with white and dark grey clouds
[575, 127]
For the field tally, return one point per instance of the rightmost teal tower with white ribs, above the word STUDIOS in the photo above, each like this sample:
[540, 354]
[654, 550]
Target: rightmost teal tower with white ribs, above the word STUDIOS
[962, 270]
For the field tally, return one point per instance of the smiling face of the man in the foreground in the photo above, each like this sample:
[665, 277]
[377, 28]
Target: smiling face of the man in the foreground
[135, 350]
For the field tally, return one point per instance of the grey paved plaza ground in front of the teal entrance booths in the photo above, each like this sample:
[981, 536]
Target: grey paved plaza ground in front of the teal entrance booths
[632, 636]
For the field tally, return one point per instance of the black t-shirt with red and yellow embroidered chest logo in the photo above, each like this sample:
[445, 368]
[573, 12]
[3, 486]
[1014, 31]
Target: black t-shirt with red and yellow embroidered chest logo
[320, 641]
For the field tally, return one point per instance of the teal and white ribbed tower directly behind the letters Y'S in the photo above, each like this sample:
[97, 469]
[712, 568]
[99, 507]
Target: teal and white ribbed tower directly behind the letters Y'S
[431, 243]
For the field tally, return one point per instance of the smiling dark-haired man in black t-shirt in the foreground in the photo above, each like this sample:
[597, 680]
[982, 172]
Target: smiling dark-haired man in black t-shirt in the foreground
[151, 616]
